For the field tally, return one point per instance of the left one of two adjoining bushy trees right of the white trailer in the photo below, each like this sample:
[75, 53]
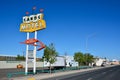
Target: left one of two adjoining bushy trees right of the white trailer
[79, 57]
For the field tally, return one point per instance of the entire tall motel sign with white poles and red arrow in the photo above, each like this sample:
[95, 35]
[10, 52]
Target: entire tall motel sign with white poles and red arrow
[32, 23]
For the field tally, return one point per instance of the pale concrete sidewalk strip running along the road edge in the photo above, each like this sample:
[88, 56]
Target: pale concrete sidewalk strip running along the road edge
[48, 75]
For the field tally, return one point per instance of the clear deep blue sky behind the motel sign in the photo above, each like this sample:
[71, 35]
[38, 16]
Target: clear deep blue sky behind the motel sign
[69, 24]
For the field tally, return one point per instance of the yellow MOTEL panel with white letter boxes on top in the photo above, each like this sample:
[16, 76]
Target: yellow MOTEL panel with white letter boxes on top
[33, 23]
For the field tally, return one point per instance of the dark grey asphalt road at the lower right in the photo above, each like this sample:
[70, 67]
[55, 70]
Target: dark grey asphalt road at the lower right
[110, 73]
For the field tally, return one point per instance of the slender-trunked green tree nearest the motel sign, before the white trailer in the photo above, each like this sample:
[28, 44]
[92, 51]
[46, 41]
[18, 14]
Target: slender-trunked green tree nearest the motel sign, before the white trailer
[50, 54]
